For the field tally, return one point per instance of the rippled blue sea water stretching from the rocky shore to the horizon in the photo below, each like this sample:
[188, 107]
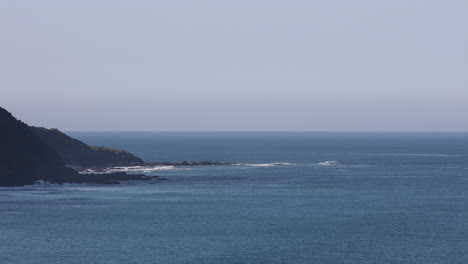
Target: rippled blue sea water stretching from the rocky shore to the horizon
[294, 198]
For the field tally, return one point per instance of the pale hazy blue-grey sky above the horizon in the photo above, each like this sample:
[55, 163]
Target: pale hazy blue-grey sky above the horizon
[236, 65]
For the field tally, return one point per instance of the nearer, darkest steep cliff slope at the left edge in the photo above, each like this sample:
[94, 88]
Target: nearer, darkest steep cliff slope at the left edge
[24, 158]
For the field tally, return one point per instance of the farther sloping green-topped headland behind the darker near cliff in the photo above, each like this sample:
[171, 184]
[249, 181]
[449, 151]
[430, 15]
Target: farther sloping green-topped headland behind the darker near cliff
[76, 153]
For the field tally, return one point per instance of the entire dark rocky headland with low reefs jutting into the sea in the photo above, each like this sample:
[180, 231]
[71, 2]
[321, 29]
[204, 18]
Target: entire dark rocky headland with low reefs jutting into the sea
[29, 154]
